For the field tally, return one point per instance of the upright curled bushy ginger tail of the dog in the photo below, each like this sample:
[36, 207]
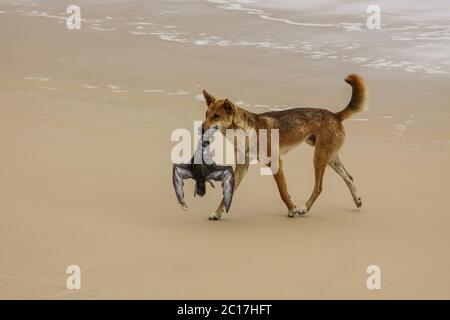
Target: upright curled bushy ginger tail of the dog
[359, 97]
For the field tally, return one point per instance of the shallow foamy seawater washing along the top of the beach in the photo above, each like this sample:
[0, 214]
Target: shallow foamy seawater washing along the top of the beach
[414, 36]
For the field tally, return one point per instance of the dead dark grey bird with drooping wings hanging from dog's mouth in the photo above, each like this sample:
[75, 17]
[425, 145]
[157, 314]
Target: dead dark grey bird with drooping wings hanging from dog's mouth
[202, 169]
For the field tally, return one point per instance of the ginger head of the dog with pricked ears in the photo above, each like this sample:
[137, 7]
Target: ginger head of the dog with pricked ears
[220, 113]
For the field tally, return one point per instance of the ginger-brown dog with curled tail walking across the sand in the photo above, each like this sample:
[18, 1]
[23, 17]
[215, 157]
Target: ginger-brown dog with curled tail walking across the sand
[318, 127]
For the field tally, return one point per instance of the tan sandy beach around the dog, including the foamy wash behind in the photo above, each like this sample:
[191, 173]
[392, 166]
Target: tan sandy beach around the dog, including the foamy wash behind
[86, 176]
